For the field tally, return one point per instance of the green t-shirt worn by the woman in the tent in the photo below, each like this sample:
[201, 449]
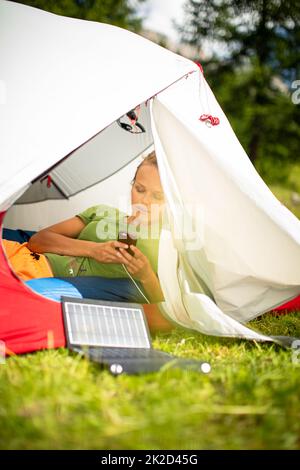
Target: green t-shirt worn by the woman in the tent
[103, 224]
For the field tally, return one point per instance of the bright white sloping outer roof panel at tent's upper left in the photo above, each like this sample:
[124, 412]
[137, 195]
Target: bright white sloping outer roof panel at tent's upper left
[66, 80]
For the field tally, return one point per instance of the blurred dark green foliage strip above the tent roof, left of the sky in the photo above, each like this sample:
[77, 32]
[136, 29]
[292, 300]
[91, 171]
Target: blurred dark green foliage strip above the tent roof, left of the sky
[121, 13]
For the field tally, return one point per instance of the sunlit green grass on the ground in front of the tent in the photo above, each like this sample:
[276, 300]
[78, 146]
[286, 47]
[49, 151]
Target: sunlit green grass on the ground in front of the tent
[250, 400]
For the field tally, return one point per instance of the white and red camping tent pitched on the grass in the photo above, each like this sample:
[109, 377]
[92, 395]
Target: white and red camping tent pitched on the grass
[229, 250]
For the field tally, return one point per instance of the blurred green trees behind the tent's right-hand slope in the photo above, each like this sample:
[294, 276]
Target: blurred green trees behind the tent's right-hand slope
[252, 75]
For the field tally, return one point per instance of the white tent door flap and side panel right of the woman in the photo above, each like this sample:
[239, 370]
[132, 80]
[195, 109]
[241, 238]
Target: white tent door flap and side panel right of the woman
[245, 256]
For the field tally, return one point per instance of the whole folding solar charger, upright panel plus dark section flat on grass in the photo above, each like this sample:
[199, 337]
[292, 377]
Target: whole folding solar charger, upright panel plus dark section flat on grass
[117, 337]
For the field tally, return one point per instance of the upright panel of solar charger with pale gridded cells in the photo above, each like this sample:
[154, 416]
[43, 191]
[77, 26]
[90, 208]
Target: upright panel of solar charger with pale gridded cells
[105, 325]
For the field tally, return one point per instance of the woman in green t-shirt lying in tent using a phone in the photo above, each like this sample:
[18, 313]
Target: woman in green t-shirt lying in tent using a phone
[89, 245]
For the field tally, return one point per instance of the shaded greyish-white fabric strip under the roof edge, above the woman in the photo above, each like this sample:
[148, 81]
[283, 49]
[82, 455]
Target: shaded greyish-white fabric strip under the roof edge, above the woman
[107, 152]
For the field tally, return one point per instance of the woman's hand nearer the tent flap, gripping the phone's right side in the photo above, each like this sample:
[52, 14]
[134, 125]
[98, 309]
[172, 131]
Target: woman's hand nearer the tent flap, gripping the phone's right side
[138, 265]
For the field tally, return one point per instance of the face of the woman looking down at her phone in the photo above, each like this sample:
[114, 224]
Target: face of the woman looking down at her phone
[147, 194]
